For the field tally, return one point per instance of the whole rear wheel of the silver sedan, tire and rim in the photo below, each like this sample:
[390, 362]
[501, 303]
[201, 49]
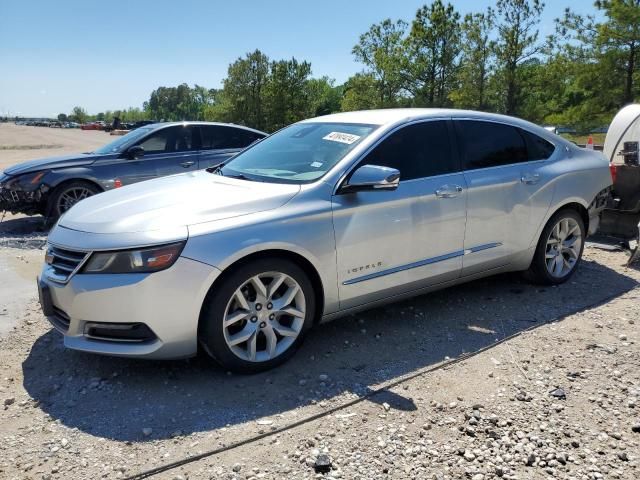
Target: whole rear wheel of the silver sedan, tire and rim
[559, 249]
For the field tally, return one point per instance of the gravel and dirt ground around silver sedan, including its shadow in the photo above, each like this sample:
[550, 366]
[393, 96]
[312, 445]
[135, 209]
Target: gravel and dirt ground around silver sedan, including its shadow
[494, 379]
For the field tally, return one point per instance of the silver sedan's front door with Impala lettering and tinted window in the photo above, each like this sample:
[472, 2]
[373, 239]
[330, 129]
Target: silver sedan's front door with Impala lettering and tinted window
[390, 242]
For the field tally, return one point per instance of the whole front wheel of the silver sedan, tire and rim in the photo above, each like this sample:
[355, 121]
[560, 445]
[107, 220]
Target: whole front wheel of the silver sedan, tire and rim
[257, 317]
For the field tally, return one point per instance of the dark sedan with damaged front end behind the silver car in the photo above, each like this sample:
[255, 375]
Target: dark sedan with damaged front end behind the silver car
[51, 186]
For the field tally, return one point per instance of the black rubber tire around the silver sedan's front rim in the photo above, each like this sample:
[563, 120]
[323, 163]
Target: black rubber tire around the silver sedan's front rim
[211, 333]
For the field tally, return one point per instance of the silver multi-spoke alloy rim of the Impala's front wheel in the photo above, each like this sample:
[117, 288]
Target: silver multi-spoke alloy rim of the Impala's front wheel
[264, 316]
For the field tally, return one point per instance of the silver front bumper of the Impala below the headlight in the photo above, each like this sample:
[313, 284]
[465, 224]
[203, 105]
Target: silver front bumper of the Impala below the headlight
[167, 302]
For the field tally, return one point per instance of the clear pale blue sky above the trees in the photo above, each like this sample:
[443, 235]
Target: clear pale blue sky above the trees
[104, 55]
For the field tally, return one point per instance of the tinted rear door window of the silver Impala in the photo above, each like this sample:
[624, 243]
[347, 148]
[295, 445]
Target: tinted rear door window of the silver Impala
[489, 144]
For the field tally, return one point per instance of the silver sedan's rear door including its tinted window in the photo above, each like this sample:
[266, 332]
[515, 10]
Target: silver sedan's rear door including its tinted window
[505, 203]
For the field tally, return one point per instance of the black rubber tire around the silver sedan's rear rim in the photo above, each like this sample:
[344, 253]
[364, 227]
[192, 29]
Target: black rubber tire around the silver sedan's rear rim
[538, 271]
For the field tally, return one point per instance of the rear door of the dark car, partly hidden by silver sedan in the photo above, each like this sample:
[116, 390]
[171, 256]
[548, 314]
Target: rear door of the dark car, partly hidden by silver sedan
[220, 142]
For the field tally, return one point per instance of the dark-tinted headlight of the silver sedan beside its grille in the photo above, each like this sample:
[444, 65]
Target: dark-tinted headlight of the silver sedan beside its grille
[144, 260]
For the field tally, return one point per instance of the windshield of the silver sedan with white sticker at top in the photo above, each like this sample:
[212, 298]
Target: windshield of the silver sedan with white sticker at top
[300, 153]
